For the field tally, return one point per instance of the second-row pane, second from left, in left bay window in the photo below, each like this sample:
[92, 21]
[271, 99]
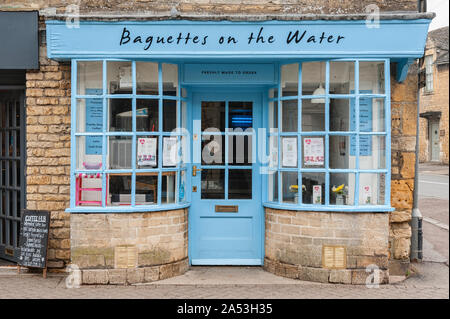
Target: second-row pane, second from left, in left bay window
[120, 115]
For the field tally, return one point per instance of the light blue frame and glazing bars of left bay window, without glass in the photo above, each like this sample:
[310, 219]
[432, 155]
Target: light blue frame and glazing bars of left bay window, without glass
[180, 168]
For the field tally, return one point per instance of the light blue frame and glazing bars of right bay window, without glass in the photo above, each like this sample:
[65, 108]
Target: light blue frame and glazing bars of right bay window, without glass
[357, 207]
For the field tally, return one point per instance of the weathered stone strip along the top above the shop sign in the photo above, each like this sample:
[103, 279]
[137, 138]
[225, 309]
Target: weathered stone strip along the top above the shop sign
[214, 6]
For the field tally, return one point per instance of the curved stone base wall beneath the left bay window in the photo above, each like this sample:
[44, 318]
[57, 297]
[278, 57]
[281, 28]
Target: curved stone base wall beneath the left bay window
[130, 248]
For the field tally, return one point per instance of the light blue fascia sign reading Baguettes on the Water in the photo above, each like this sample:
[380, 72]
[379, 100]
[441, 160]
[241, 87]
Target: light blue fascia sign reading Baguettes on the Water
[209, 40]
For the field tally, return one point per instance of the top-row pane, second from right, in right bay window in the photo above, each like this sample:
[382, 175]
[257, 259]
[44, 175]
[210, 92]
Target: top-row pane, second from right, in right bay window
[342, 77]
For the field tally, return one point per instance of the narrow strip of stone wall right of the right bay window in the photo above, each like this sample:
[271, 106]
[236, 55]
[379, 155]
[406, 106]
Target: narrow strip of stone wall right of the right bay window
[403, 138]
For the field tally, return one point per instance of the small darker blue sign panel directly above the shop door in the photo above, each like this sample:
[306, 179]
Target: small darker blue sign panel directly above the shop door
[250, 73]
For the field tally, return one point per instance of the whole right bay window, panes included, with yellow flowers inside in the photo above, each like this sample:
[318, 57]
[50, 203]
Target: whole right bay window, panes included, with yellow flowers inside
[329, 135]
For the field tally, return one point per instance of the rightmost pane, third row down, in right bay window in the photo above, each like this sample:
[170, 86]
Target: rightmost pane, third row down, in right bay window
[372, 152]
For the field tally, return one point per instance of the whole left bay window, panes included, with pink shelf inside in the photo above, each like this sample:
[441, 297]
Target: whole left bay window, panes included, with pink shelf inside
[128, 139]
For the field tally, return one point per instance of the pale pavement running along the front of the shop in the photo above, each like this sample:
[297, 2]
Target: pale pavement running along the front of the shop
[429, 281]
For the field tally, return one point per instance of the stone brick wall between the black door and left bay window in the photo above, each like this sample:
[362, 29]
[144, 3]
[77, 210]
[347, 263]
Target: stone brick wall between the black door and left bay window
[48, 149]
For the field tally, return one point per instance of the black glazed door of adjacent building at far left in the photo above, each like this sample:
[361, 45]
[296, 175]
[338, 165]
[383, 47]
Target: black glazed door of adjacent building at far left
[12, 167]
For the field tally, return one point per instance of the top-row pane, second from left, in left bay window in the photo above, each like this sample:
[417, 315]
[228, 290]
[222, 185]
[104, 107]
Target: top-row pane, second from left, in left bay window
[119, 77]
